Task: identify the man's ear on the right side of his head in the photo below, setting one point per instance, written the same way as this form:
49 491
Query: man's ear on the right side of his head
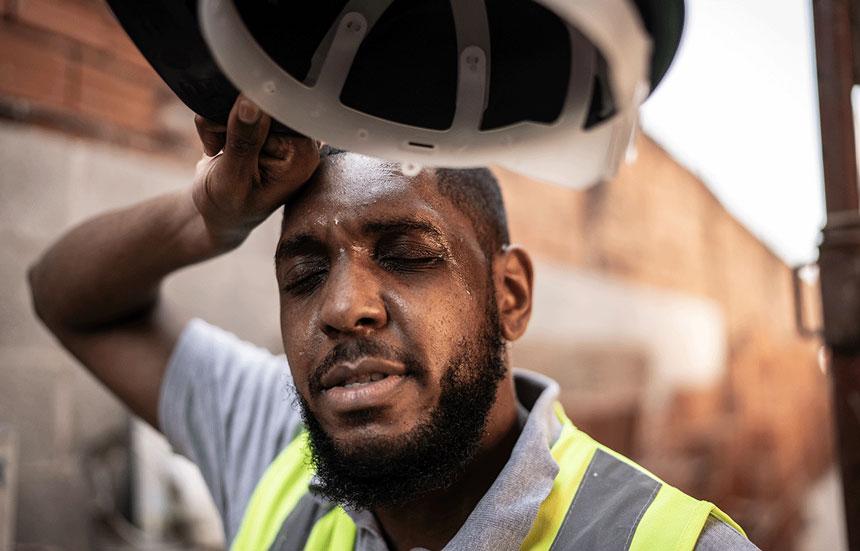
514 276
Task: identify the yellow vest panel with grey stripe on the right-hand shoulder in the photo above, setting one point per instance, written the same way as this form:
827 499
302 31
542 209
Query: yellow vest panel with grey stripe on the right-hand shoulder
601 500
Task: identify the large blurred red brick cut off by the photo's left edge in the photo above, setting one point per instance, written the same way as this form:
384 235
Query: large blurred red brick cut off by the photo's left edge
32 67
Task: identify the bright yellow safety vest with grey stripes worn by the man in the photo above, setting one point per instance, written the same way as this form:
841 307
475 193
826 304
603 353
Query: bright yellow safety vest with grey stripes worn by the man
599 500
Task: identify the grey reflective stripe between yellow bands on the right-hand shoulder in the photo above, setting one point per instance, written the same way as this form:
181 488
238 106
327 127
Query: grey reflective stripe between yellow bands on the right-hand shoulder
607 507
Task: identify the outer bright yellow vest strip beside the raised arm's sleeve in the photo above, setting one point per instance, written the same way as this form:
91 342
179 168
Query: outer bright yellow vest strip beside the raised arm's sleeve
276 495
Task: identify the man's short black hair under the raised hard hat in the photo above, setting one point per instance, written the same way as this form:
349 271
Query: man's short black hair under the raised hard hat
476 193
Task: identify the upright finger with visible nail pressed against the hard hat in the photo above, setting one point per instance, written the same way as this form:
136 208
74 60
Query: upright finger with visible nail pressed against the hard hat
247 127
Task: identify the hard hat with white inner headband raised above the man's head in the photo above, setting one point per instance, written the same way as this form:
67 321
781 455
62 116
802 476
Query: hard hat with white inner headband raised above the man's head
548 88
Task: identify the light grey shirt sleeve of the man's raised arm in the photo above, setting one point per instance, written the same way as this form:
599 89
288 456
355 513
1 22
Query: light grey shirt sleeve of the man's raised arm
228 406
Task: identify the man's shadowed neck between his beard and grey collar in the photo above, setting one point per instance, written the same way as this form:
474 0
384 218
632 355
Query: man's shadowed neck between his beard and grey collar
432 520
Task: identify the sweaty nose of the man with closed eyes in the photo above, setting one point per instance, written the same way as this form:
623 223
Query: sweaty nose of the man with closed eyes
352 301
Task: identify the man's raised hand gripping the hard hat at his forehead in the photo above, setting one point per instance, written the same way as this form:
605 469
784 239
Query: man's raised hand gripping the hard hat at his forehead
248 172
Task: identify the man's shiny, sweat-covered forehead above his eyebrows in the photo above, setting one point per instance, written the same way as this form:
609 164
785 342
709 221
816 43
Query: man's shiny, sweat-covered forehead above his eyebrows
350 190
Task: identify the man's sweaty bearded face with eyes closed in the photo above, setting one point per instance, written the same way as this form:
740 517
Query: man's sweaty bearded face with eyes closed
386 307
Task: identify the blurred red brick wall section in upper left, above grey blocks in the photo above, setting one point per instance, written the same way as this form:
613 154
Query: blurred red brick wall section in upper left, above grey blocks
68 65
